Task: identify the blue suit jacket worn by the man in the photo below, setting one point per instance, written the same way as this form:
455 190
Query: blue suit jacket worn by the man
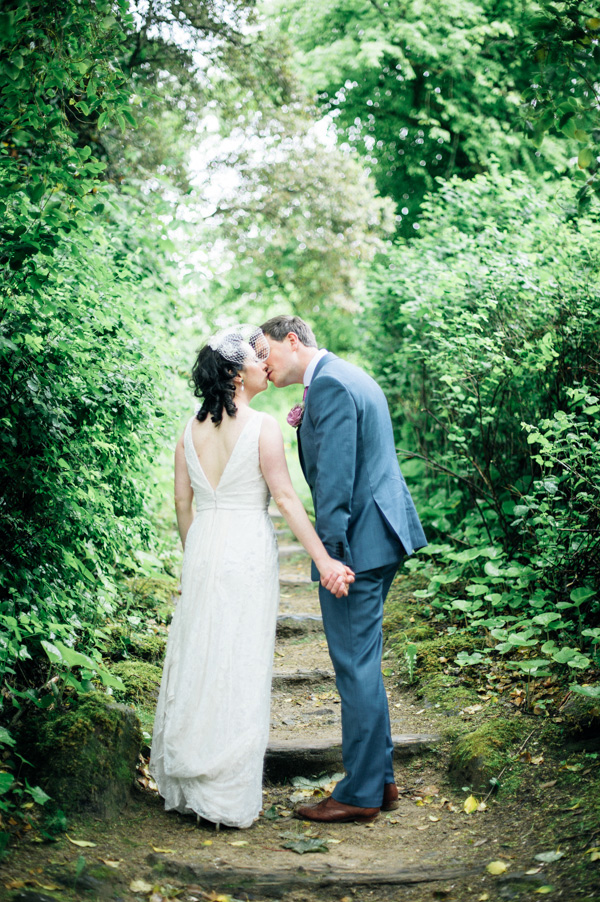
364 513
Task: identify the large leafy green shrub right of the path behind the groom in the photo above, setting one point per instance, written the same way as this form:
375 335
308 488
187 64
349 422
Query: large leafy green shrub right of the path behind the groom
485 336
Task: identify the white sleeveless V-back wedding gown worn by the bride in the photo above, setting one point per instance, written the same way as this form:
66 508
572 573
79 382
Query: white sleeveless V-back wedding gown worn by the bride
212 718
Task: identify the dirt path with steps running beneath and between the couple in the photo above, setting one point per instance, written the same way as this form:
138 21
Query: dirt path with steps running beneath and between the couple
428 848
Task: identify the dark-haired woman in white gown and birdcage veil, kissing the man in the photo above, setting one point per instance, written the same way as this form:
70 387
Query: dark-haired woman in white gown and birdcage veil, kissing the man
212 718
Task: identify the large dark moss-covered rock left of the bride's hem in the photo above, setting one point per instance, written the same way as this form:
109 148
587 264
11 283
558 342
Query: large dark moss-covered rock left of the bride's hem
85 754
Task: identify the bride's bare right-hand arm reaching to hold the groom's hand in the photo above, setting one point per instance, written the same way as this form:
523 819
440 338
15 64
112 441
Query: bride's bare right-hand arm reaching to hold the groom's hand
335 576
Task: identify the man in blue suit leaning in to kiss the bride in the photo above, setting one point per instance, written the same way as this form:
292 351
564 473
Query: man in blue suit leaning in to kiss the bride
365 517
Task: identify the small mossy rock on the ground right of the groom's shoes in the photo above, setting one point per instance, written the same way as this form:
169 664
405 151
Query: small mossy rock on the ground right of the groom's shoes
479 756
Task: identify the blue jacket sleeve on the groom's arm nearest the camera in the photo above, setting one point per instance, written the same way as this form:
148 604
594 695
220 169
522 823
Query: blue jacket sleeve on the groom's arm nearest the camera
335 421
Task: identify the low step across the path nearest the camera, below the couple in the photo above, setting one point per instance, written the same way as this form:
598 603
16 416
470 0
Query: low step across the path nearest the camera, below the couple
275 882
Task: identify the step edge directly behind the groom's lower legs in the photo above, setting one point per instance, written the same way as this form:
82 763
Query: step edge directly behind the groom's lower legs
295 757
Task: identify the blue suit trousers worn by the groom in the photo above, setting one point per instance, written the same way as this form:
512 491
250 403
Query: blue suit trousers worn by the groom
353 627
